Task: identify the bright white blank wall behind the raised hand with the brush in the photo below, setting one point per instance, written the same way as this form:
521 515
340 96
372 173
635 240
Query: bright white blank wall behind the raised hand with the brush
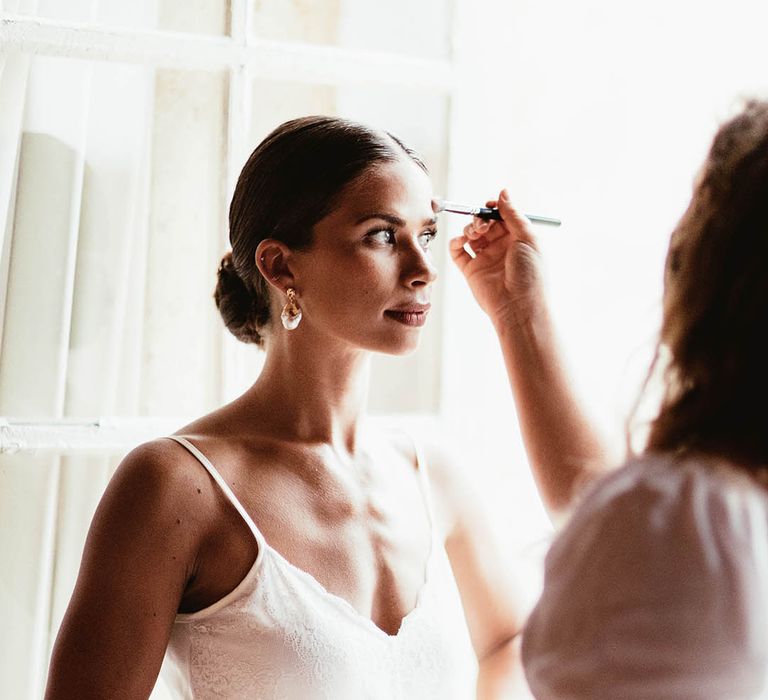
598 112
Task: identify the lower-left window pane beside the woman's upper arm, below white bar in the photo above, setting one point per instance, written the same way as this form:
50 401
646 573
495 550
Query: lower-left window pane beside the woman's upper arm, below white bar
46 505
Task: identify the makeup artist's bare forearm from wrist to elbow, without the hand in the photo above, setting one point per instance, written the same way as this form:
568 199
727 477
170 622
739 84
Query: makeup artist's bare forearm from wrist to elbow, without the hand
560 441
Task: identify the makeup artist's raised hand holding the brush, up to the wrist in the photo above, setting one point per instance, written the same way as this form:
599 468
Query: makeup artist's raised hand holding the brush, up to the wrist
504 274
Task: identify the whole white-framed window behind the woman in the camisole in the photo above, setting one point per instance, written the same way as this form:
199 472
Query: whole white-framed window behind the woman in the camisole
122 131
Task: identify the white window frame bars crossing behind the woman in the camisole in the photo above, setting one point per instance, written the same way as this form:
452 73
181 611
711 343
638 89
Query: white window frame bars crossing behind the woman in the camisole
246 58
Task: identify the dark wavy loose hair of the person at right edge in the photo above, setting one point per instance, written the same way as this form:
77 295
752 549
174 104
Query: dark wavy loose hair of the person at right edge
715 324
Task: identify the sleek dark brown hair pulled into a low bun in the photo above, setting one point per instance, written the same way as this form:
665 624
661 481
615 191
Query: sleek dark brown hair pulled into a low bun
290 182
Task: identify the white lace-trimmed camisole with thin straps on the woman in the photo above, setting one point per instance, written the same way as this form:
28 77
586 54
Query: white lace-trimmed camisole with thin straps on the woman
281 634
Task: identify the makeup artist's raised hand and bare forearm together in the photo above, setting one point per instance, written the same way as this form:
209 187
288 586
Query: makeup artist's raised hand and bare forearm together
564 449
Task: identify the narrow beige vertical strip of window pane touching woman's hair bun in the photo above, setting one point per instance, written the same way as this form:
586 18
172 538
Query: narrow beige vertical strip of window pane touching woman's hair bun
187 229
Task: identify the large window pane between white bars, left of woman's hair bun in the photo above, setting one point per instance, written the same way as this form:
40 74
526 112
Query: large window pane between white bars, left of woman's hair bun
117 229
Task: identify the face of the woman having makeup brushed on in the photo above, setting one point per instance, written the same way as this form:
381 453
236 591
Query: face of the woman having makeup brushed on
367 277
